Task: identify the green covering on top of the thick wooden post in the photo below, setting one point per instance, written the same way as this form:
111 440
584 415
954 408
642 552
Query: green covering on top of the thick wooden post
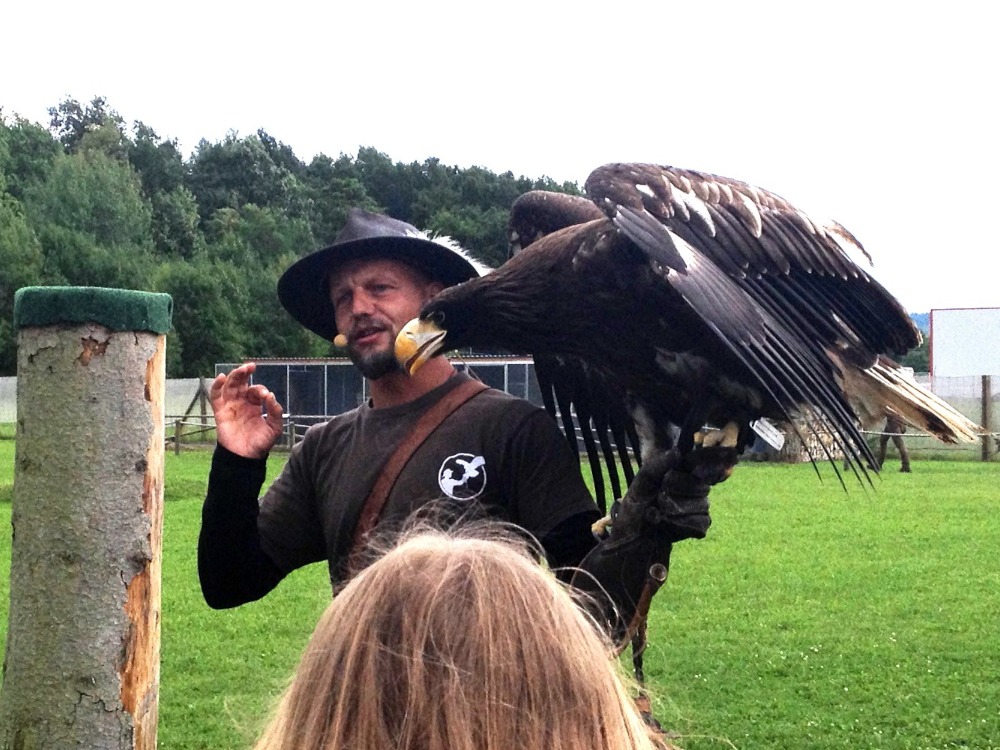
117 309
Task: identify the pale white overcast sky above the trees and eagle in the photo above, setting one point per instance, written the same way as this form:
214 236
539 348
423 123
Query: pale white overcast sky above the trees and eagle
882 116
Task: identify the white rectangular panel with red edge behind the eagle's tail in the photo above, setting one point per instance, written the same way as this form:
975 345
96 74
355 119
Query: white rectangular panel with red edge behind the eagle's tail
965 341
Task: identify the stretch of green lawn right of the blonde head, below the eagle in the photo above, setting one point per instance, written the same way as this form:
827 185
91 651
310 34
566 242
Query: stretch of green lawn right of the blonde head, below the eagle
811 618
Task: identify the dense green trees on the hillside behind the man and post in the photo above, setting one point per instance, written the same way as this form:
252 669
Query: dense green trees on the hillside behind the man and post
89 200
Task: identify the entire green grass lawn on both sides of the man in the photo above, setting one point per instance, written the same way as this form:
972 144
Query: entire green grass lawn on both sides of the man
809 617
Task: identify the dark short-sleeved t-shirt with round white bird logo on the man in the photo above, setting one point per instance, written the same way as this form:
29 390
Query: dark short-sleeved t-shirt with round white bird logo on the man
496 455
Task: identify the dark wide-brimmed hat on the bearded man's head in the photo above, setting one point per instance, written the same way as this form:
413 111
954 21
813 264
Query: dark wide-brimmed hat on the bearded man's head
304 288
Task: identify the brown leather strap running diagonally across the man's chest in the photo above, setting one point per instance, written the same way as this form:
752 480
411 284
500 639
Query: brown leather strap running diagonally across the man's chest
424 426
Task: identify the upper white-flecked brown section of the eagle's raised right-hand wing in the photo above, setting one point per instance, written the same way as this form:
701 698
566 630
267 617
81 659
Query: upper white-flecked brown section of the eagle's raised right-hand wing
807 272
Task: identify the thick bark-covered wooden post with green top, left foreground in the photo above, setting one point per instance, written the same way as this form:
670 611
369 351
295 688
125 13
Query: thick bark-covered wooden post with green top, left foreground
83 643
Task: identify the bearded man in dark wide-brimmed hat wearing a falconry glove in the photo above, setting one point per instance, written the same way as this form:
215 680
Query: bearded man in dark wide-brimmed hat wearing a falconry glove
438 438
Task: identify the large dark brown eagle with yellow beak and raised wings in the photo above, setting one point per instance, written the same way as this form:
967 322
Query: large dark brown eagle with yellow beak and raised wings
666 300
